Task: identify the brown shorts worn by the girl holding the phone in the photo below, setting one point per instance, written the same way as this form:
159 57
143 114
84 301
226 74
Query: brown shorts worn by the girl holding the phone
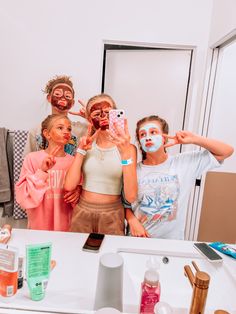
100 218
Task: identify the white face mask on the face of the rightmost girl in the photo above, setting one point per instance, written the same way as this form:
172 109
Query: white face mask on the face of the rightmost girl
150 138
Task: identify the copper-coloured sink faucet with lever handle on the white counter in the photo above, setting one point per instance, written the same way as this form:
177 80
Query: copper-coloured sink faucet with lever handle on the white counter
200 284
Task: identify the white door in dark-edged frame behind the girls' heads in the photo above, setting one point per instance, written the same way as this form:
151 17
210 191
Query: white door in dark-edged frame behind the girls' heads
144 82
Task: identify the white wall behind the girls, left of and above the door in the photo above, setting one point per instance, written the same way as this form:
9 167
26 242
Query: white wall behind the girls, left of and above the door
40 39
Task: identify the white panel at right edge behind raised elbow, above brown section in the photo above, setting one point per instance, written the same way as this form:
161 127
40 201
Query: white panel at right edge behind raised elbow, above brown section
223 112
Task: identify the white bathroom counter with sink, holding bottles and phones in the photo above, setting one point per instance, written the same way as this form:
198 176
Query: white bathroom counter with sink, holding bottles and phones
72 283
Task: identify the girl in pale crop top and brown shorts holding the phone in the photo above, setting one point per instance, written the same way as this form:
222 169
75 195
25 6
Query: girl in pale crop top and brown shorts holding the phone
107 164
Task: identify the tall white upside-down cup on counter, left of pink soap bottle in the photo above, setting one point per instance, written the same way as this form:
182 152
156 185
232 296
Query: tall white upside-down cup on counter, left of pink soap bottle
109 290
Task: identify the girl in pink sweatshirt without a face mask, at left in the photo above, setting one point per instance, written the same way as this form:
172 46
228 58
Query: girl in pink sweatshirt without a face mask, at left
40 187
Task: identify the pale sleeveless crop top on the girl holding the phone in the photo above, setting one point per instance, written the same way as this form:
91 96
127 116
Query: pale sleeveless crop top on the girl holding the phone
102 171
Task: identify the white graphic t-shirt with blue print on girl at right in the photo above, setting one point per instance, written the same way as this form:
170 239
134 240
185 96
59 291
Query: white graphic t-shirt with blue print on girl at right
163 192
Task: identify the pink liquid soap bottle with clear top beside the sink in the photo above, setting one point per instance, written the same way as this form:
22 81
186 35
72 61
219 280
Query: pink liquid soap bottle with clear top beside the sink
150 287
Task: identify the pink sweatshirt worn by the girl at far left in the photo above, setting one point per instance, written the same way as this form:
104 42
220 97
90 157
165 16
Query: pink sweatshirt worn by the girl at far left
41 193
